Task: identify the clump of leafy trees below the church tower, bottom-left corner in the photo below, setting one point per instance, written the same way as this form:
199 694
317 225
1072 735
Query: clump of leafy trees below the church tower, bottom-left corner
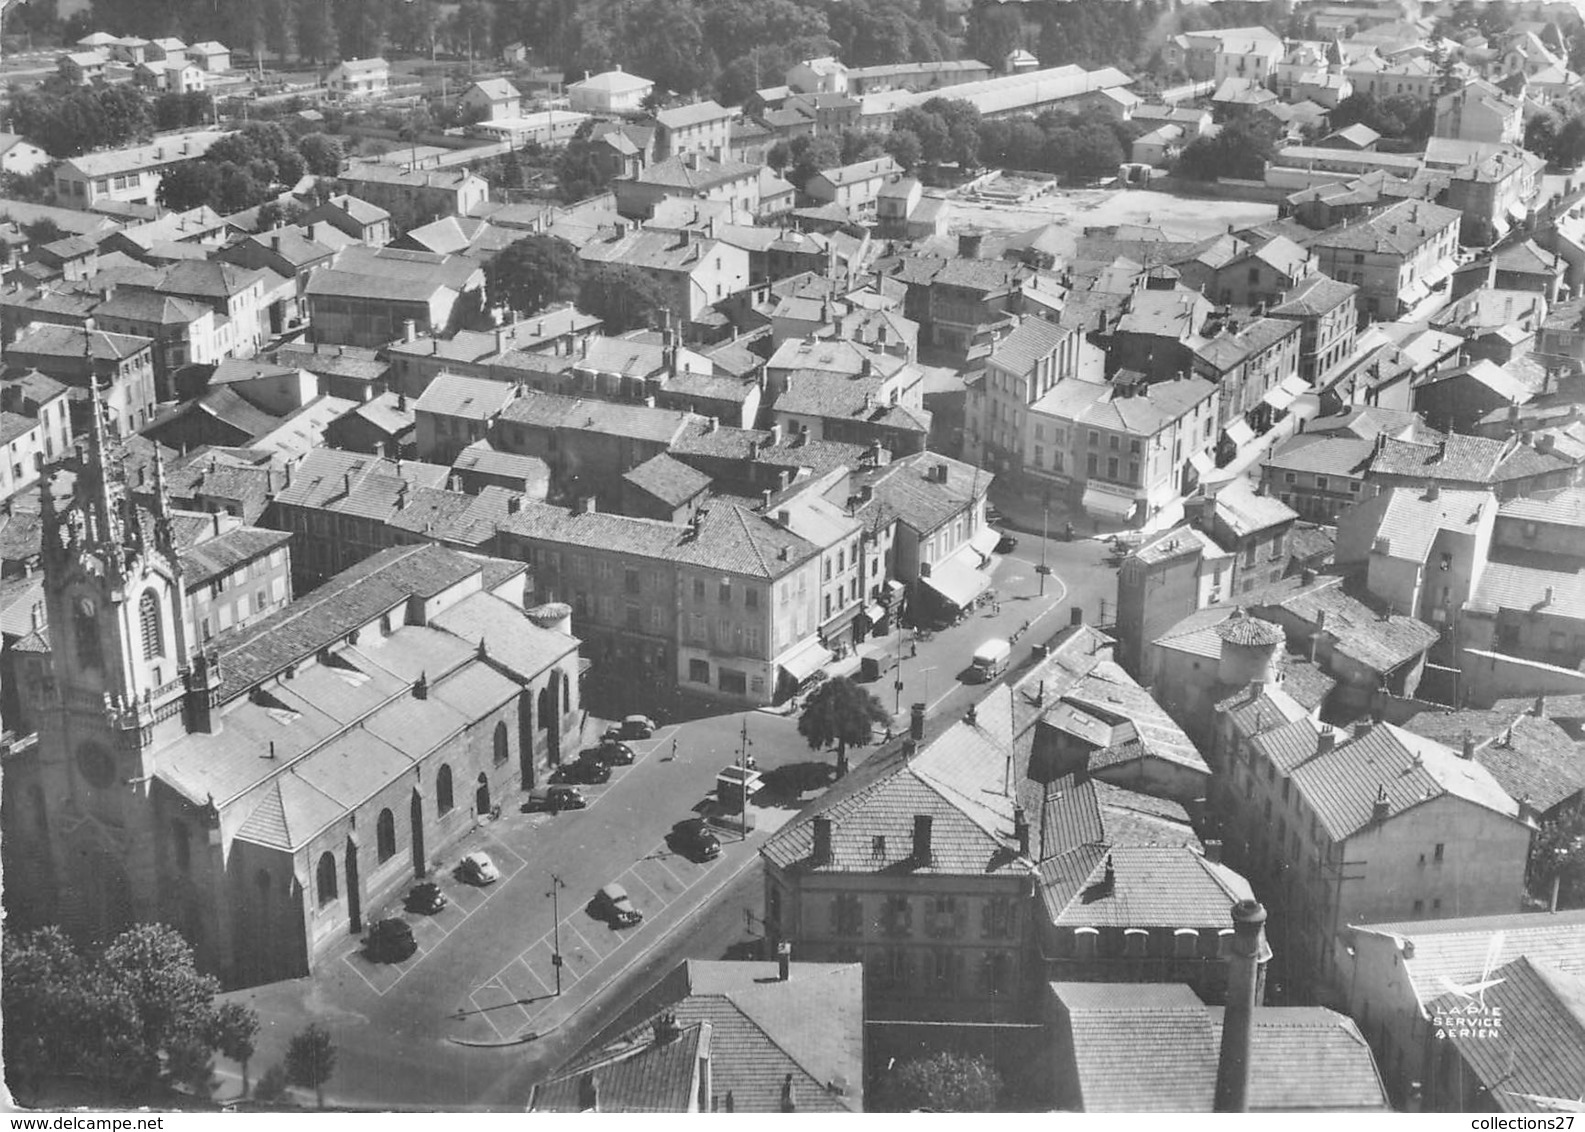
131 1017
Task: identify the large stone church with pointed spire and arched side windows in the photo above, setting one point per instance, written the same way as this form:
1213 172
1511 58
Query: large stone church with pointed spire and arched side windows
270 789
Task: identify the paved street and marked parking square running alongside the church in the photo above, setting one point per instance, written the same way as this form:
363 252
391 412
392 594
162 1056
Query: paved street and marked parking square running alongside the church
473 1020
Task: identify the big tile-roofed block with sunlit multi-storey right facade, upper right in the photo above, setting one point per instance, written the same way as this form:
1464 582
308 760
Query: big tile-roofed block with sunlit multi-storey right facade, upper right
1396 258
